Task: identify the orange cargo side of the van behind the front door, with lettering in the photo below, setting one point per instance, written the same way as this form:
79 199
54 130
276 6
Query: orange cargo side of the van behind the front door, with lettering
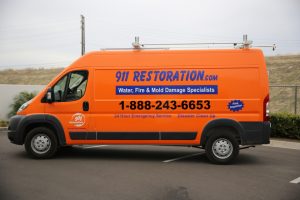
123 112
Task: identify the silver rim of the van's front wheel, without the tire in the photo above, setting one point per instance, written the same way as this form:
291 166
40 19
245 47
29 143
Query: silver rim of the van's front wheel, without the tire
40 143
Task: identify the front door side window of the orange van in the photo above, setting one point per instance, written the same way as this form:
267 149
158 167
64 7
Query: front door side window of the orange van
71 87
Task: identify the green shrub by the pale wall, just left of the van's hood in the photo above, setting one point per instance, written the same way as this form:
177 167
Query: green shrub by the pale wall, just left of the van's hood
19 100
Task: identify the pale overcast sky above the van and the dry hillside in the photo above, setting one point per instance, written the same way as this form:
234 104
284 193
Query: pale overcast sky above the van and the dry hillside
40 33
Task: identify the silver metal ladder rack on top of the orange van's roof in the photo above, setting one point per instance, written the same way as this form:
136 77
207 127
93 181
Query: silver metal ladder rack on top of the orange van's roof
246 44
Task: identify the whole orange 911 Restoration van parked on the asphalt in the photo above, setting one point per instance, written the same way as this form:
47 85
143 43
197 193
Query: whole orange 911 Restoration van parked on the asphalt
213 99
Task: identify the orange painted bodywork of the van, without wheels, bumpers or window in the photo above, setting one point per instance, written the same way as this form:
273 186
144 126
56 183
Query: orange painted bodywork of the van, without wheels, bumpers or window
239 75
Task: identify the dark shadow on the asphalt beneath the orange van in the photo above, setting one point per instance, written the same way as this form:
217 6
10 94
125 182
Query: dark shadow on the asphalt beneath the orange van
151 154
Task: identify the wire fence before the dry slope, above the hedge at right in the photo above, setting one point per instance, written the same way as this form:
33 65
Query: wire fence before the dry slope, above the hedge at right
284 98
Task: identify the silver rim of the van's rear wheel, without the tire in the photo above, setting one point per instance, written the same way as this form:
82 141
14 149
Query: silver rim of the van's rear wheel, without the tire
222 148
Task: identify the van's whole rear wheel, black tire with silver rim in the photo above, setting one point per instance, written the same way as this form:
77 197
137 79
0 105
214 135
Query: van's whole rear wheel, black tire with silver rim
222 147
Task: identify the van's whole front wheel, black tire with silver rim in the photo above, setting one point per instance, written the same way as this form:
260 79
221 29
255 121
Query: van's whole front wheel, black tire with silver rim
41 143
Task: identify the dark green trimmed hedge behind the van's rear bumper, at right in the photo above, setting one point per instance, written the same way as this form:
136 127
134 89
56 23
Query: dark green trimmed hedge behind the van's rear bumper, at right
285 125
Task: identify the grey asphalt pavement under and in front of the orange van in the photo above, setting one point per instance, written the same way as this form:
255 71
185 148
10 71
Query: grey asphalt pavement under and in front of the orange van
124 172
